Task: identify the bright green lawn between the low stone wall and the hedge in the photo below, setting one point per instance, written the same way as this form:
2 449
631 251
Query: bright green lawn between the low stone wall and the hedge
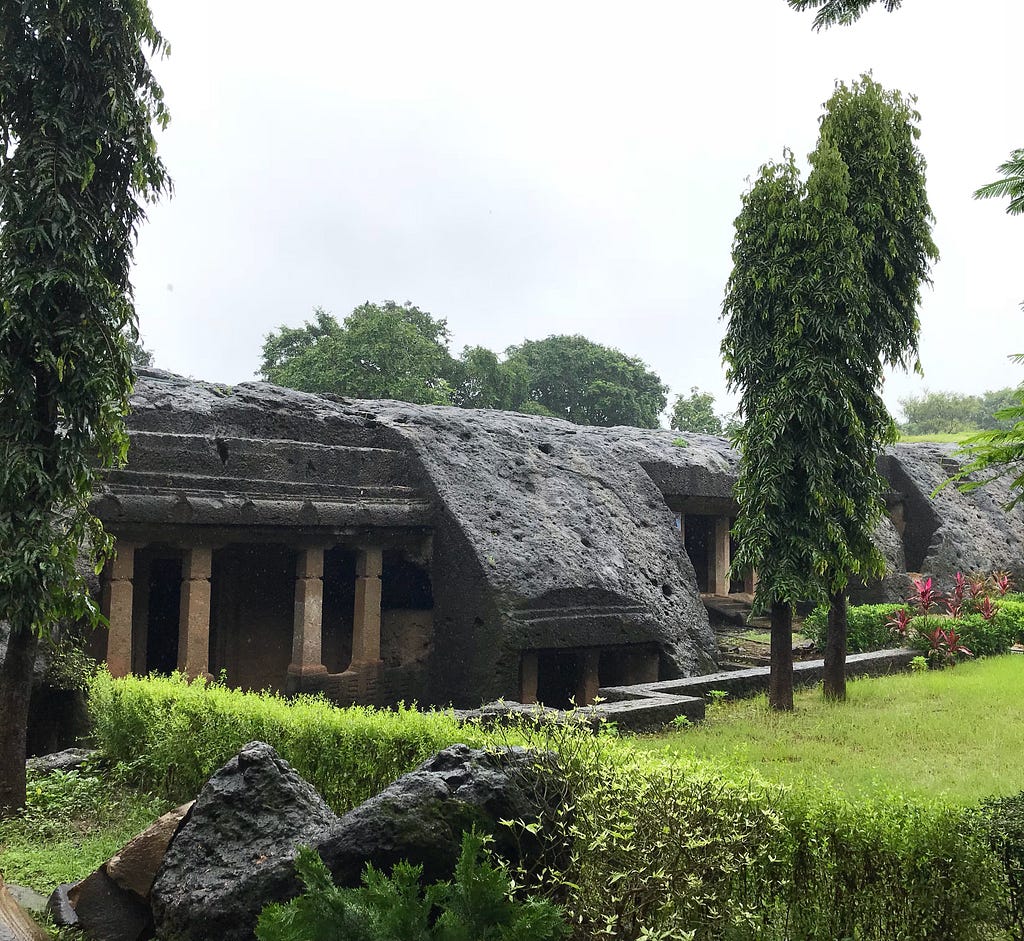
956 735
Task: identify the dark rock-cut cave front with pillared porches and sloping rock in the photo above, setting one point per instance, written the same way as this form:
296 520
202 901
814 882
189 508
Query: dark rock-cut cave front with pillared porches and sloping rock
381 551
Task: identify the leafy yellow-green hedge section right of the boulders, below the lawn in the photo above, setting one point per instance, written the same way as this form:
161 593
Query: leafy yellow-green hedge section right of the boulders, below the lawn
665 850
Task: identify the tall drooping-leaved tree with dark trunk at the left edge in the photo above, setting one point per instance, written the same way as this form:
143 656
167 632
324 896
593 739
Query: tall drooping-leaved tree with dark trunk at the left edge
78 104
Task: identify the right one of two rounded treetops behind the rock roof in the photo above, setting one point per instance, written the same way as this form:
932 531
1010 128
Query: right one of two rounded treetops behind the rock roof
587 383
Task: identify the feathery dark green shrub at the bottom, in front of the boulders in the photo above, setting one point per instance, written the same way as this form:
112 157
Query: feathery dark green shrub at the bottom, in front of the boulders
475 907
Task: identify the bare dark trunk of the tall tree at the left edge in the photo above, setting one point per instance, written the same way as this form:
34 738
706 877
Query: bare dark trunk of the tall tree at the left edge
16 690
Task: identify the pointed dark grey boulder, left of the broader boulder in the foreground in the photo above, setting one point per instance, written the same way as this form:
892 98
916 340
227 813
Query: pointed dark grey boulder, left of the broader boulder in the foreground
234 852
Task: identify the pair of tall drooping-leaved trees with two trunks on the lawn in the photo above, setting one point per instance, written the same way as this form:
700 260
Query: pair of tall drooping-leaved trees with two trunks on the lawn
824 291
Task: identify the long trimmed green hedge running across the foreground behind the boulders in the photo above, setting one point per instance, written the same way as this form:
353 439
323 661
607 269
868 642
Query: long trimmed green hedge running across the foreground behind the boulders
660 847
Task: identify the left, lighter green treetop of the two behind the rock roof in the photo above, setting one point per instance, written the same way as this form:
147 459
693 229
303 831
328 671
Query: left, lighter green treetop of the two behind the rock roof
385 351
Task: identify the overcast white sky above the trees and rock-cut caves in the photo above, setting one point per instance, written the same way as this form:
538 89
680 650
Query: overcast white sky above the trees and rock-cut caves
536 168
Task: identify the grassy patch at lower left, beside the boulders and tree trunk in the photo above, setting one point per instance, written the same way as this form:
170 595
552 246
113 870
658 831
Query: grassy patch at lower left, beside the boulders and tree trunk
73 823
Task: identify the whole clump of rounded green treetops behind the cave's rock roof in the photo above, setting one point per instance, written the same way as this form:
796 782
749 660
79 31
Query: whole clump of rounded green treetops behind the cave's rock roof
400 352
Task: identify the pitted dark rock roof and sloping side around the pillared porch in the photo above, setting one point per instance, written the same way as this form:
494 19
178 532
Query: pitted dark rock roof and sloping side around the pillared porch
546 535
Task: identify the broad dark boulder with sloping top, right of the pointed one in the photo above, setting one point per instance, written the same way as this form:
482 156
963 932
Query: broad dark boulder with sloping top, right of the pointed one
422 817
